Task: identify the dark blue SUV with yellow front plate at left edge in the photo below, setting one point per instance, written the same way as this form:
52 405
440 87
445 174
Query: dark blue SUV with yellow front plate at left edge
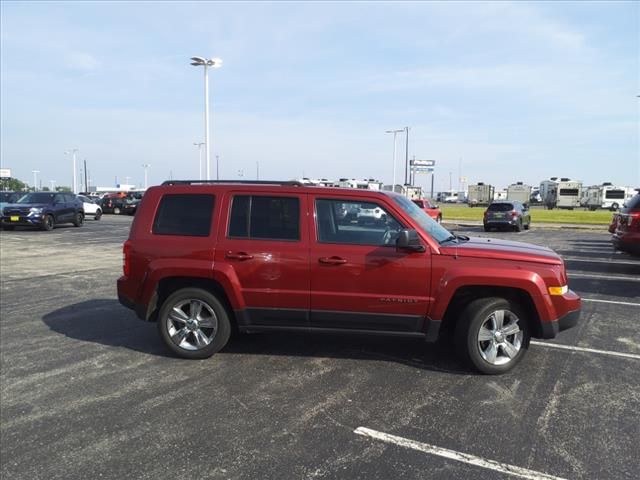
43 210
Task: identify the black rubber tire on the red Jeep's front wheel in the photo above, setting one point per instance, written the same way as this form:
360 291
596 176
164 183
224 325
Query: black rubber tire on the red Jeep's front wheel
468 329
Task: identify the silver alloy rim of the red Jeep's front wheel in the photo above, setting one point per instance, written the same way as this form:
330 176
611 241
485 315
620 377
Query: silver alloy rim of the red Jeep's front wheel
500 337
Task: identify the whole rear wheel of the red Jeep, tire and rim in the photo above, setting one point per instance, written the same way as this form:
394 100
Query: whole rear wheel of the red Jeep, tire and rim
193 323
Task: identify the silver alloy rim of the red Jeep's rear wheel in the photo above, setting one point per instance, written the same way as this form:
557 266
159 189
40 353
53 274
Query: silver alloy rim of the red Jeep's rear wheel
192 324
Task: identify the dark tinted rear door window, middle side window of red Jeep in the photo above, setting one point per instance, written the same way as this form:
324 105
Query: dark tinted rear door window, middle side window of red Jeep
269 218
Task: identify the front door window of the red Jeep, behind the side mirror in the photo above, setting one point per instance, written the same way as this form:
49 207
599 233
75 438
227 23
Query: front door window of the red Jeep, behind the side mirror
355 223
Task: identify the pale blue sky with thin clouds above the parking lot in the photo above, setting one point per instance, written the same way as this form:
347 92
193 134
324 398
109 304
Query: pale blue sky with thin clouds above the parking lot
498 91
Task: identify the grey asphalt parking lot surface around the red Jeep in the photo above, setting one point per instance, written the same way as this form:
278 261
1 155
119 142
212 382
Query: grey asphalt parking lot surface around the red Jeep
89 391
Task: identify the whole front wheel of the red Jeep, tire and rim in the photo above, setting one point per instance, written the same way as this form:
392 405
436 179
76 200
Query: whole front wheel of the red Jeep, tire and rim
492 335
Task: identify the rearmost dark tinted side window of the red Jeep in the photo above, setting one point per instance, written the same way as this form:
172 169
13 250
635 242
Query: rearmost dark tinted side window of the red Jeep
184 214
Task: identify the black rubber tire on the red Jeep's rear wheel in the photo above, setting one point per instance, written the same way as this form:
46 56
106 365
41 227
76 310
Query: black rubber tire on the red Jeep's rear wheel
220 334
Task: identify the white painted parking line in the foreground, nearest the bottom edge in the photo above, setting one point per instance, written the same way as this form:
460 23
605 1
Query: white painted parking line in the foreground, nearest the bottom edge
453 455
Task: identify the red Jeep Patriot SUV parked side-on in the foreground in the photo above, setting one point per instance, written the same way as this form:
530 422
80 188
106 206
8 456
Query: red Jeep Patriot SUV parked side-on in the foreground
206 257
